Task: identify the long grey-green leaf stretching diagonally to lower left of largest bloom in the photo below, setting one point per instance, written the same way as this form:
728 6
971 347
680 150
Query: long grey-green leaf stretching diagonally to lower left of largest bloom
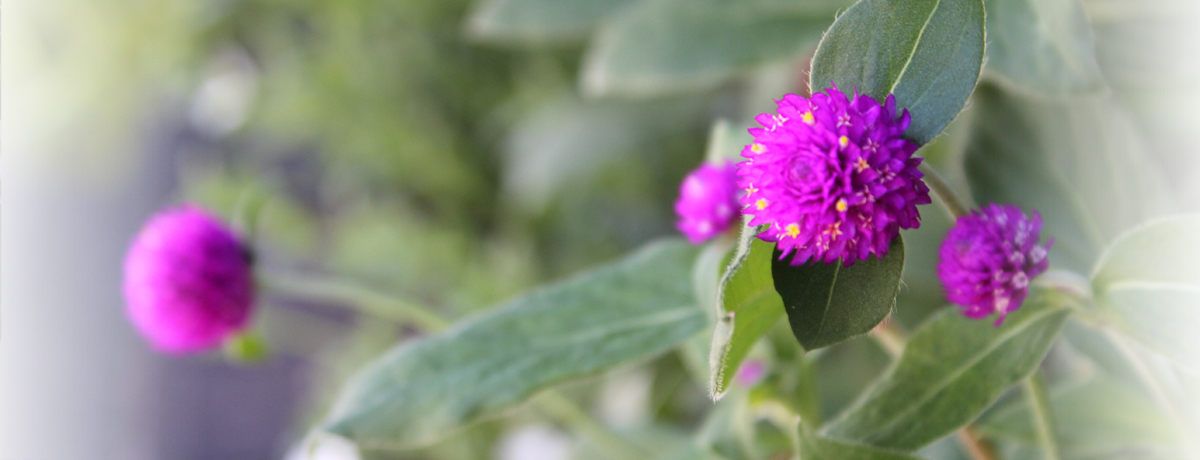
623 313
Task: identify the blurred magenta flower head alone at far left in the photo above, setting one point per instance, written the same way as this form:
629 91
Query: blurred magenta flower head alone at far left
189 284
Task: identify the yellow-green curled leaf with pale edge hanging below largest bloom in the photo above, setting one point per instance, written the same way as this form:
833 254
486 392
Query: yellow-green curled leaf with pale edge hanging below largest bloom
749 308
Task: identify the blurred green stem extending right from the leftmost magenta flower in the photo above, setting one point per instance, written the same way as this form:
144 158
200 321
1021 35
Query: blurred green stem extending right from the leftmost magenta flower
353 296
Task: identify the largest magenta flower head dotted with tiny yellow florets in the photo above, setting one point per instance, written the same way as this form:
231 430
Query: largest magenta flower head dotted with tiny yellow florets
832 178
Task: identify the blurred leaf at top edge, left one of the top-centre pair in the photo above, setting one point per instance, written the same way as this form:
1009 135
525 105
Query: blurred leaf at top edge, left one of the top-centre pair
533 22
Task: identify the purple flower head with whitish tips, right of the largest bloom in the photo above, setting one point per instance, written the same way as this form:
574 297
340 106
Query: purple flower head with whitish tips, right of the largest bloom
989 258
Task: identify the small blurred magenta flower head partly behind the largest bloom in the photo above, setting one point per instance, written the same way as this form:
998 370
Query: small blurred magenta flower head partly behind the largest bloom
709 202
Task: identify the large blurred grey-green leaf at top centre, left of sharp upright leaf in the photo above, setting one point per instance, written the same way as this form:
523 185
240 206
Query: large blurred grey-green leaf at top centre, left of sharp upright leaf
670 46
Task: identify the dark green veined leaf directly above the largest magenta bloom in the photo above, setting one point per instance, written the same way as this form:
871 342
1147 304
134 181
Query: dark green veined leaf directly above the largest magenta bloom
928 53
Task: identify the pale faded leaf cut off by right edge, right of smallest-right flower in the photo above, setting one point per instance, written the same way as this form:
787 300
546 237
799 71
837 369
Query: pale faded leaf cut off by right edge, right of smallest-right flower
1148 285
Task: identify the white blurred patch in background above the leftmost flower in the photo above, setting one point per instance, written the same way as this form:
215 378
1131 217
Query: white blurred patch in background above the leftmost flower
223 103
